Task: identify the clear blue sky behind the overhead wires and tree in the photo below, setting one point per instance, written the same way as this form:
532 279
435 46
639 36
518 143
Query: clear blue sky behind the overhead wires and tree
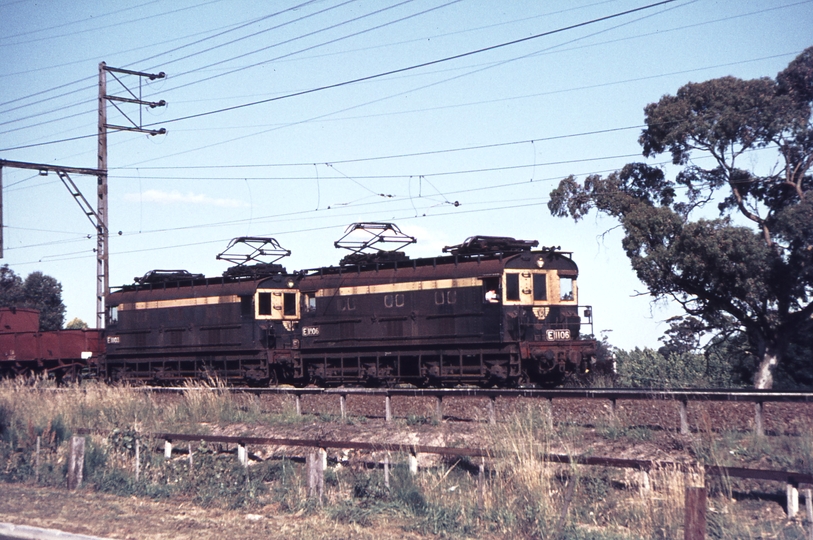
470 145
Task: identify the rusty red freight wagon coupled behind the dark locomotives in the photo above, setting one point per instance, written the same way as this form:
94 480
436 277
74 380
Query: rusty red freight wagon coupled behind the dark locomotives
24 350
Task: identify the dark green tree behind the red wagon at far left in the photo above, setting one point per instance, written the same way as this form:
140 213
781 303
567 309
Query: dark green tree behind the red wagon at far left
38 291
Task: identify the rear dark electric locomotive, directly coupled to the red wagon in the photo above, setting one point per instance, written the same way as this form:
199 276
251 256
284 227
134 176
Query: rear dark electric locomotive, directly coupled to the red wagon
181 327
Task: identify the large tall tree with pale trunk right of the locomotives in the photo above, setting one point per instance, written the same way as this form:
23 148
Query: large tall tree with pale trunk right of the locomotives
748 266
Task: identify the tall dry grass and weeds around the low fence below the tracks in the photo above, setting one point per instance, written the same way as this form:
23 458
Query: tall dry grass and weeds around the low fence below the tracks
518 496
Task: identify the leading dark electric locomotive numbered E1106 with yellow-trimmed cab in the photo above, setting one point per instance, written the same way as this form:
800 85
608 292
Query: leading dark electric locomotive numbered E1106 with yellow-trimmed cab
478 319
